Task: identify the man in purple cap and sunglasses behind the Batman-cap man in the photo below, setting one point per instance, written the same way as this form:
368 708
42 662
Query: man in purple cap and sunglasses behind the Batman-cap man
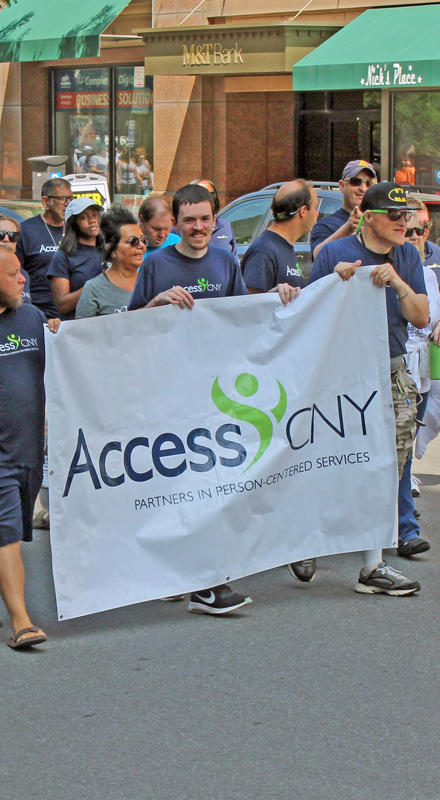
357 177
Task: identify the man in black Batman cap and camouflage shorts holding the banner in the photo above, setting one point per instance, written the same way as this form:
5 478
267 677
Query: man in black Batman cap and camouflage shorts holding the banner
380 241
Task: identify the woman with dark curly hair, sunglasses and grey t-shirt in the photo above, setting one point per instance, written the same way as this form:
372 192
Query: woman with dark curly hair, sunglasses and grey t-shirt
110 292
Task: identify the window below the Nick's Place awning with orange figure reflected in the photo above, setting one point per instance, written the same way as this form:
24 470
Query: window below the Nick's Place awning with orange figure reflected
416 143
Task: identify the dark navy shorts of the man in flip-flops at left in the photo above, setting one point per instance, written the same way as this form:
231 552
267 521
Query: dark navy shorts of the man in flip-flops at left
19 487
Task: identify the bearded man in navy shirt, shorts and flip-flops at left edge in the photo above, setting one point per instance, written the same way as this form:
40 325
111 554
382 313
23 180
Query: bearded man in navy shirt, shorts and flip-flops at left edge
21 439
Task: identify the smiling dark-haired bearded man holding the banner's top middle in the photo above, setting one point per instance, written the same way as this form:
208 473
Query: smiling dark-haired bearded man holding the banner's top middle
189 270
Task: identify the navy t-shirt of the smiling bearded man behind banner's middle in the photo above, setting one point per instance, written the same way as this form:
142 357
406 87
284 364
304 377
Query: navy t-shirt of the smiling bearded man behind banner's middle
216 274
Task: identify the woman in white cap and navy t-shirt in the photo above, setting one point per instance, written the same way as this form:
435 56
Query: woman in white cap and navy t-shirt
80 255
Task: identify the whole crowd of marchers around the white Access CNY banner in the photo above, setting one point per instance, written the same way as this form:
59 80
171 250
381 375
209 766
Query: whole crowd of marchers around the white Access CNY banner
76 260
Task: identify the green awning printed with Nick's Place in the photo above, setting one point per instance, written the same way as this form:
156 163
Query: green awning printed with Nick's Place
382 48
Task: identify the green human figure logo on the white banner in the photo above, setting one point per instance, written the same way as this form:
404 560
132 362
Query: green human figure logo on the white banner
247 385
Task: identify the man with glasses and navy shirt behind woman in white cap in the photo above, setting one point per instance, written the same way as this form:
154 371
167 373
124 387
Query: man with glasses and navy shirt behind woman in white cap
40 238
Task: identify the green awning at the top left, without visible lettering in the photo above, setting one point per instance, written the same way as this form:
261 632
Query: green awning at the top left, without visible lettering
40 30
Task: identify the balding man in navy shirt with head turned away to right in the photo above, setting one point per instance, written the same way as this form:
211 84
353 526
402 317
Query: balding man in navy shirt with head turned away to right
271 260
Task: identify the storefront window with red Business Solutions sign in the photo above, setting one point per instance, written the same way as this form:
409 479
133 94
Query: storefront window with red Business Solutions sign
84 108
